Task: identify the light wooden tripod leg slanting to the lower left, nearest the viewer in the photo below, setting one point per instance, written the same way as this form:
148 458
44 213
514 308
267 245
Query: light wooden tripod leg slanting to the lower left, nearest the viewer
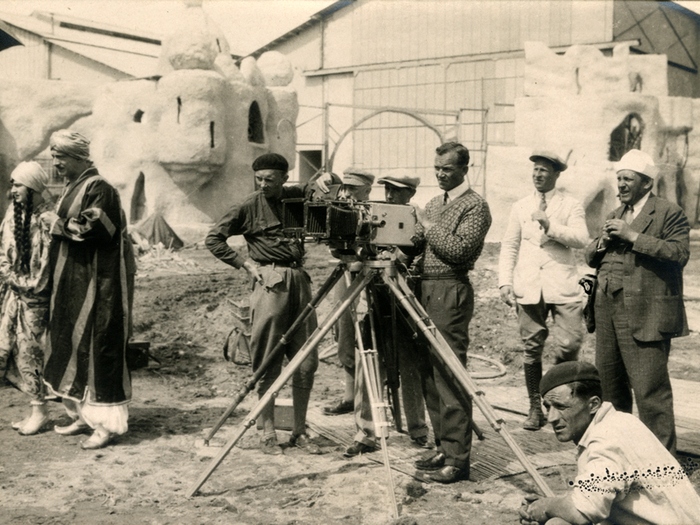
287 372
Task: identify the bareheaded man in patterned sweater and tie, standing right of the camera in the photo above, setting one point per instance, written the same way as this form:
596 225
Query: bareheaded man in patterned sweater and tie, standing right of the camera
452 232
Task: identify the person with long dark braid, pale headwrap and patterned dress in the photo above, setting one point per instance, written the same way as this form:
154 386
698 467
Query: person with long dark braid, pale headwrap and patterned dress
24 274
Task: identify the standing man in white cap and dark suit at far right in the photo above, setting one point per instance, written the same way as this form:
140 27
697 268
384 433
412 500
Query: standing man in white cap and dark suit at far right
639 256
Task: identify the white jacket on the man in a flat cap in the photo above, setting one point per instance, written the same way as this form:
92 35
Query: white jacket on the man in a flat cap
538 264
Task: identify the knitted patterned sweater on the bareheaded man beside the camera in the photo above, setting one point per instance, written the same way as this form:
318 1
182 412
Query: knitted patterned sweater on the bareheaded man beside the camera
454 242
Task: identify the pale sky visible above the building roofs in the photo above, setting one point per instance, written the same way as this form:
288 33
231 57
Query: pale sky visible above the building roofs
247 24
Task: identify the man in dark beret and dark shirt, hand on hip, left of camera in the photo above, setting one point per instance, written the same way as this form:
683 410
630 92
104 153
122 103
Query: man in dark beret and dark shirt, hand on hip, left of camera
281 289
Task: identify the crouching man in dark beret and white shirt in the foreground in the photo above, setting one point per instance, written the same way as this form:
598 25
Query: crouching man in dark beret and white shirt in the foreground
625 476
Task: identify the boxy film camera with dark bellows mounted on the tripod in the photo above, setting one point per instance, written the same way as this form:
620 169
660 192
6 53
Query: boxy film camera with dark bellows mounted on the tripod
350 223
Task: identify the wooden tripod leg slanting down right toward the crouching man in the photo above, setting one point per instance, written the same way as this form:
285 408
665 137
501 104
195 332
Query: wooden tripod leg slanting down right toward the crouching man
444 352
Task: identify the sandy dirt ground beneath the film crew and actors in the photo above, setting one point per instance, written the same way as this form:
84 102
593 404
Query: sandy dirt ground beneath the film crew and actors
183 309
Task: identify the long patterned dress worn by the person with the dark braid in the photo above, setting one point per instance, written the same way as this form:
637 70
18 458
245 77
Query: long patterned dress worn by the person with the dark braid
25 306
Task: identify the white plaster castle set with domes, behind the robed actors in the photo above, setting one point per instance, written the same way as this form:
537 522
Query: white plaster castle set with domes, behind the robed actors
163 128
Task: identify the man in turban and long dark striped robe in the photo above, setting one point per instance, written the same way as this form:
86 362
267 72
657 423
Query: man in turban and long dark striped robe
92 262
